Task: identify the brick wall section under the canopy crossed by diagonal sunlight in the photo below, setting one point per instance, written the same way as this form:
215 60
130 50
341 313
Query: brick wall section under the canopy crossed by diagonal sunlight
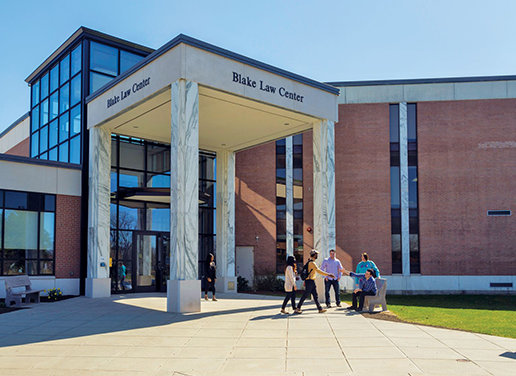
255 203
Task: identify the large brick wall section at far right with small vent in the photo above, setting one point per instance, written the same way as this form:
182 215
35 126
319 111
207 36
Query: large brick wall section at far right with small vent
460 178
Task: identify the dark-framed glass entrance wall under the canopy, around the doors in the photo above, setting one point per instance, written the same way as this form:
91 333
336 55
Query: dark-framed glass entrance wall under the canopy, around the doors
143 164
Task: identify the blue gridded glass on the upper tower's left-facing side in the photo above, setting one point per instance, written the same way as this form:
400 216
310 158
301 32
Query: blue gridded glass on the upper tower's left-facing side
56 111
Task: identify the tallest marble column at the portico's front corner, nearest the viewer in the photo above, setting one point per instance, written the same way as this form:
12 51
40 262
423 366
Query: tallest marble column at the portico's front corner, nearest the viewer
183 292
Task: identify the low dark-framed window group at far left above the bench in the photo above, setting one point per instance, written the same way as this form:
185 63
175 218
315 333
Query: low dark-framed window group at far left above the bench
27 233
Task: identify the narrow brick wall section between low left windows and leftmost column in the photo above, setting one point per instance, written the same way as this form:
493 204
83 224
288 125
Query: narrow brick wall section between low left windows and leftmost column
68 236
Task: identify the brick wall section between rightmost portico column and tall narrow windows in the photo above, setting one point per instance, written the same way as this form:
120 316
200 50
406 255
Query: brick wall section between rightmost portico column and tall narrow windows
362 185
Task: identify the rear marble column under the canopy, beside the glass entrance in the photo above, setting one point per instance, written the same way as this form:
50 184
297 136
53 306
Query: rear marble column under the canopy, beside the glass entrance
226 277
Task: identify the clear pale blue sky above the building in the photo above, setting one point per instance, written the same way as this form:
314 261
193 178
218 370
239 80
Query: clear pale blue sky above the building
332 40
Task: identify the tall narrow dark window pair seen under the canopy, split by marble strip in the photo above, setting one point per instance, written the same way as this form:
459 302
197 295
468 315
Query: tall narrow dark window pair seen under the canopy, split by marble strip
281 209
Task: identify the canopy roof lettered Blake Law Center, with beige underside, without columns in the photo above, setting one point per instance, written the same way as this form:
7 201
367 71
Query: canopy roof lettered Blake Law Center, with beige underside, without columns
242 102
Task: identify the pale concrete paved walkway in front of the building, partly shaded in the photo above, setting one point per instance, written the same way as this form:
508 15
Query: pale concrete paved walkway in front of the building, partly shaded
238 335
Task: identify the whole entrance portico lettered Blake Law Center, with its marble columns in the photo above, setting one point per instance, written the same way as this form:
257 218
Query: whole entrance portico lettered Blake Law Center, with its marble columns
195 96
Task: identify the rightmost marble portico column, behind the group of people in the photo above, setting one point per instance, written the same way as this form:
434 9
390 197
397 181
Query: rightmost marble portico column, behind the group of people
324 192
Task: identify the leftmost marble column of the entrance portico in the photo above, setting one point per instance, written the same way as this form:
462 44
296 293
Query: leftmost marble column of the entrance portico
98 283
